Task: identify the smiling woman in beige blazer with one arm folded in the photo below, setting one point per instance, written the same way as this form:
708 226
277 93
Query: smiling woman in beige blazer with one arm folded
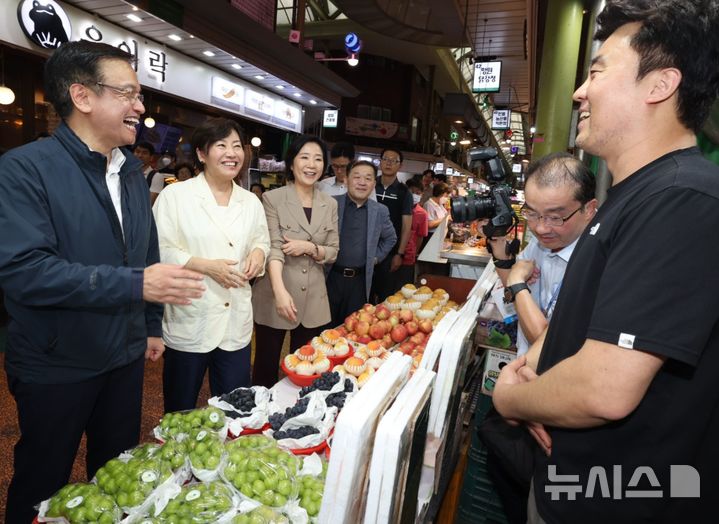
304 237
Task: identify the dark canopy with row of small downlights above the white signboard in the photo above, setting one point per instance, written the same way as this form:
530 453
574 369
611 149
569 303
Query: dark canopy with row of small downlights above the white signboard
239 46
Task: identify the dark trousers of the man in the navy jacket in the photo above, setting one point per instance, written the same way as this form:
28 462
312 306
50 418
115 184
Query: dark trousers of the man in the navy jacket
52 419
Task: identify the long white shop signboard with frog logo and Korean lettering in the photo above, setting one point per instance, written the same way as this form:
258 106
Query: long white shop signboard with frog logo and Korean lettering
44 24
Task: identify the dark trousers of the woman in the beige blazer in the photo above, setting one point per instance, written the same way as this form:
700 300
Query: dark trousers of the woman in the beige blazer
268 348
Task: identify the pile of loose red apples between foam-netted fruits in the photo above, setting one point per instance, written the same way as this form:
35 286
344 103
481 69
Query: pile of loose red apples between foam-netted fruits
389 327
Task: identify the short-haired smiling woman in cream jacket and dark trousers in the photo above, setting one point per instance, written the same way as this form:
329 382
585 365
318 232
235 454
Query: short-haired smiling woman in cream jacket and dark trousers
212 225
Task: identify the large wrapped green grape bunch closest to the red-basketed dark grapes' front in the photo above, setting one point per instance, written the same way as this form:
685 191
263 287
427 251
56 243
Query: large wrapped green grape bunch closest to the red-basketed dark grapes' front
261 474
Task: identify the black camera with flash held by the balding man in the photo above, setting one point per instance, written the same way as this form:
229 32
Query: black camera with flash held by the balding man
493 204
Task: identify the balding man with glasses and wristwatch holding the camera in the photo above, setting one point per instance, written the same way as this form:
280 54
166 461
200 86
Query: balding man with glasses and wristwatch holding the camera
559 203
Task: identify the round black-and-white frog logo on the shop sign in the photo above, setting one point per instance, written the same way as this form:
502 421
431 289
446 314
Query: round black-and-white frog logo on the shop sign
44 22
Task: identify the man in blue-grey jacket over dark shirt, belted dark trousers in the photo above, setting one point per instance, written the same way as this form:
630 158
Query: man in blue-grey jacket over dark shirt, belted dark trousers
366 238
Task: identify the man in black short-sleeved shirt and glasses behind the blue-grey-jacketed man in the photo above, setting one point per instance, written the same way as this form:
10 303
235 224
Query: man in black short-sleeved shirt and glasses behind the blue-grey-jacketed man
395 195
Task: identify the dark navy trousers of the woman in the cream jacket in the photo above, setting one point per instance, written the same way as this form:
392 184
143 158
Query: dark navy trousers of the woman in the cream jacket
183 373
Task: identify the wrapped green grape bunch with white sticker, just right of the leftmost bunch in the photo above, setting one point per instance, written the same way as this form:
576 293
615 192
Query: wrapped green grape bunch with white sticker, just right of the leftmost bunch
135 484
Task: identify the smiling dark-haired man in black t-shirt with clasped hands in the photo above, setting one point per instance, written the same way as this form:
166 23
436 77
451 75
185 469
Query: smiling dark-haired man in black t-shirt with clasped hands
624 401
